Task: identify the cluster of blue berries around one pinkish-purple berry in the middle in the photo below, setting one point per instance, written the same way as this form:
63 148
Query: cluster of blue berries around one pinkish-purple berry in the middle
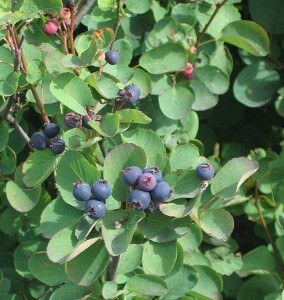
148 189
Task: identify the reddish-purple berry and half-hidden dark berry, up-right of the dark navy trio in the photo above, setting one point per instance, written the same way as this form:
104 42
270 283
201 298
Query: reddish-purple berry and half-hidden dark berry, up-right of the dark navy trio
73 120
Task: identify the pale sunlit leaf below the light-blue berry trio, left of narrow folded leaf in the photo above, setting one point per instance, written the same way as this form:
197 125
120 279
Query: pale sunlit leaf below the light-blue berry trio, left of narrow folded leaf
62 244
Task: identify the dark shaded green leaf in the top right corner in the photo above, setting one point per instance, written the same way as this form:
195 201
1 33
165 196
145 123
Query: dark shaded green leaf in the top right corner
268 16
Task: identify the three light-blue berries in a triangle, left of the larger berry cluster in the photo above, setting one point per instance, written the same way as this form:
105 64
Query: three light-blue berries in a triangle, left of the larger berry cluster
95 197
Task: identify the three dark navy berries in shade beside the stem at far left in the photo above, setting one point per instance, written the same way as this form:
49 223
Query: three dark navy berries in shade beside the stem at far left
48 138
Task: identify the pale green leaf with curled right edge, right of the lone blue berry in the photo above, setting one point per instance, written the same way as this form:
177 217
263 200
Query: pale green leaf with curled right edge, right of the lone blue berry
231 176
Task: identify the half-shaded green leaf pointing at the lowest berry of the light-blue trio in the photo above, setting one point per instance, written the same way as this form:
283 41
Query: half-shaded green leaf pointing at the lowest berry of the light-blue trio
57 216
